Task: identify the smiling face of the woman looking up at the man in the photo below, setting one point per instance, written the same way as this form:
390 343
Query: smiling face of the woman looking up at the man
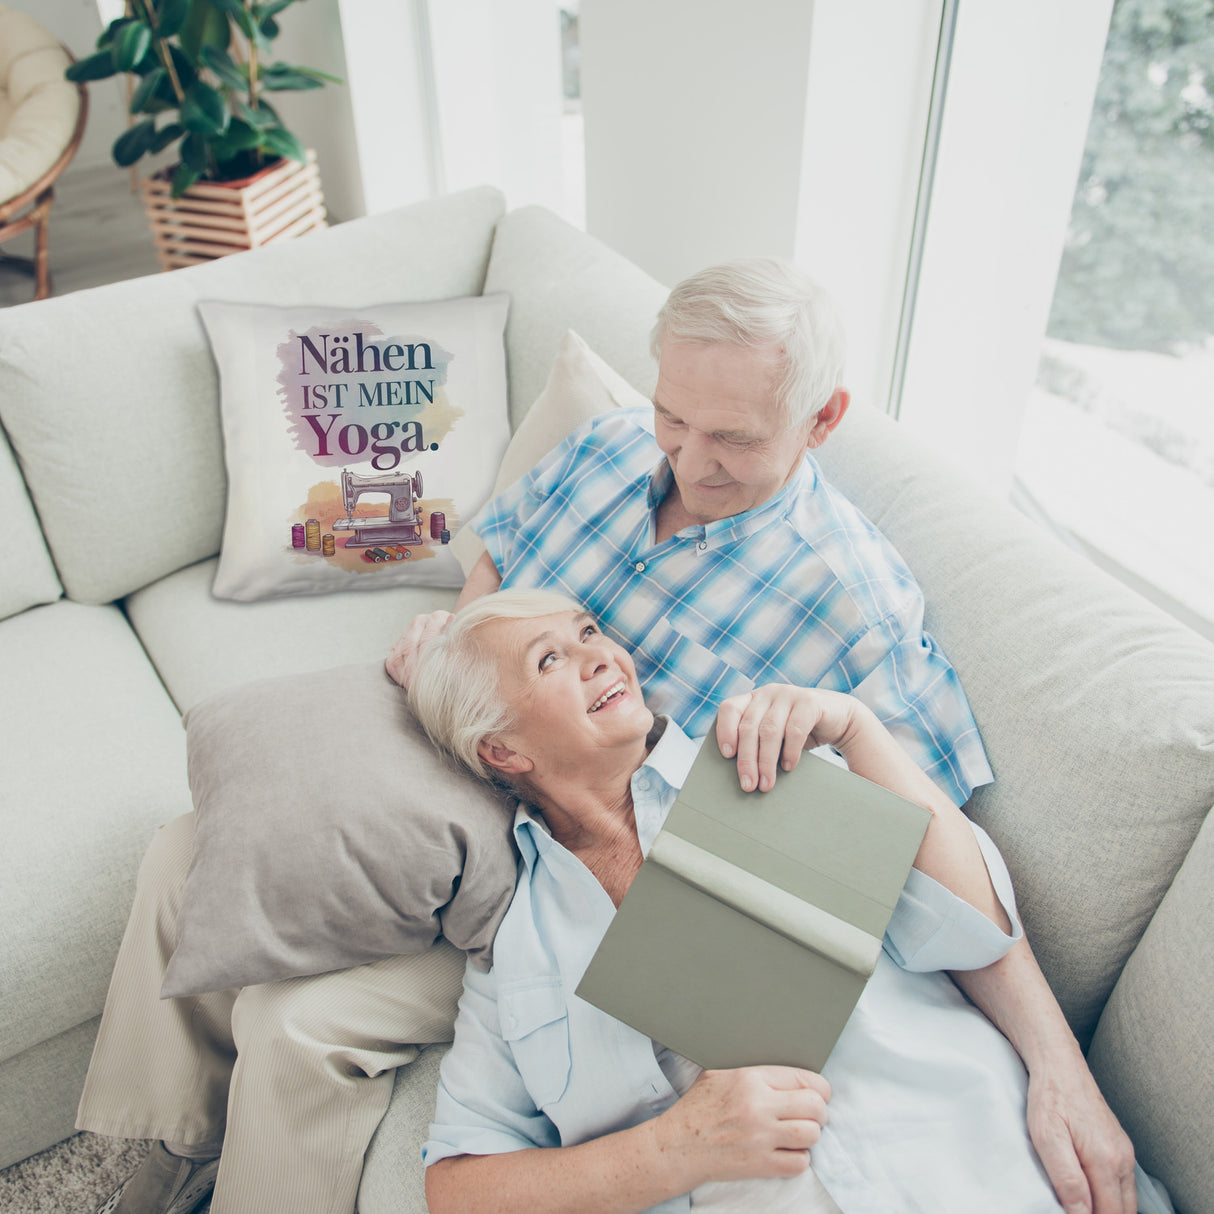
574 691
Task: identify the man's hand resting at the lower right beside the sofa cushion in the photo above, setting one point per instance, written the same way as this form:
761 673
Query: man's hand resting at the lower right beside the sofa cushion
1086 1153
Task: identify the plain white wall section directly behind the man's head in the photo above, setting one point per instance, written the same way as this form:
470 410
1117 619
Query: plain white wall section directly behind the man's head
695 123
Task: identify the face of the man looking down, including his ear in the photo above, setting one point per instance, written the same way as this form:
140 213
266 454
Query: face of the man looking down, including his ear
718 423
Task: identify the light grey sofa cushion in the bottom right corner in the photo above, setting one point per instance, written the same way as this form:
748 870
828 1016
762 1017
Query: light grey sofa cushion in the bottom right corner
1153 1053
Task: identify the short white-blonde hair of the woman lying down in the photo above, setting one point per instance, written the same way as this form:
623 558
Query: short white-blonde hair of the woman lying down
455 691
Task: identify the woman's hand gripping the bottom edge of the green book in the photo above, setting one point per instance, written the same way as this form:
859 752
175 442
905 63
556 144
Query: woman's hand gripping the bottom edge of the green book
758 1121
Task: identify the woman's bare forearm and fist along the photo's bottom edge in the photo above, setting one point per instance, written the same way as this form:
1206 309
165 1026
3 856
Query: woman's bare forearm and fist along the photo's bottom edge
729 1126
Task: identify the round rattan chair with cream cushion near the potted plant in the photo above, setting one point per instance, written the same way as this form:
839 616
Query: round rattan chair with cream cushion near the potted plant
42 123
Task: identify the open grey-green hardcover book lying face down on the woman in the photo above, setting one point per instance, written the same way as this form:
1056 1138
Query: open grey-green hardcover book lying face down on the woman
756 921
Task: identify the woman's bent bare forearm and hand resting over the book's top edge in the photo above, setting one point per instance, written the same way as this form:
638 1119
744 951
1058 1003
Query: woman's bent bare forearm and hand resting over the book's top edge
768 729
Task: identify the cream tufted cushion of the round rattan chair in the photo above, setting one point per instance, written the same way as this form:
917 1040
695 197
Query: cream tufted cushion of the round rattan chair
38 106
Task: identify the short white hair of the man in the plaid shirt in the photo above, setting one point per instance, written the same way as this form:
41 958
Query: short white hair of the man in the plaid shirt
761 304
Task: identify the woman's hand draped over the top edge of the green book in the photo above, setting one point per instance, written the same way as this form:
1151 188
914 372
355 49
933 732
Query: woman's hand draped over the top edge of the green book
771 727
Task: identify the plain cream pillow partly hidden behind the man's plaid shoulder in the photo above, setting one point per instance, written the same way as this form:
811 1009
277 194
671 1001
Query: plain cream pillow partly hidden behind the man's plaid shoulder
580 387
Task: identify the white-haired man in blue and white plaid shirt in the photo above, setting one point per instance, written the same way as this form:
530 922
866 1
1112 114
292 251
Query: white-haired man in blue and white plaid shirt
705 538
